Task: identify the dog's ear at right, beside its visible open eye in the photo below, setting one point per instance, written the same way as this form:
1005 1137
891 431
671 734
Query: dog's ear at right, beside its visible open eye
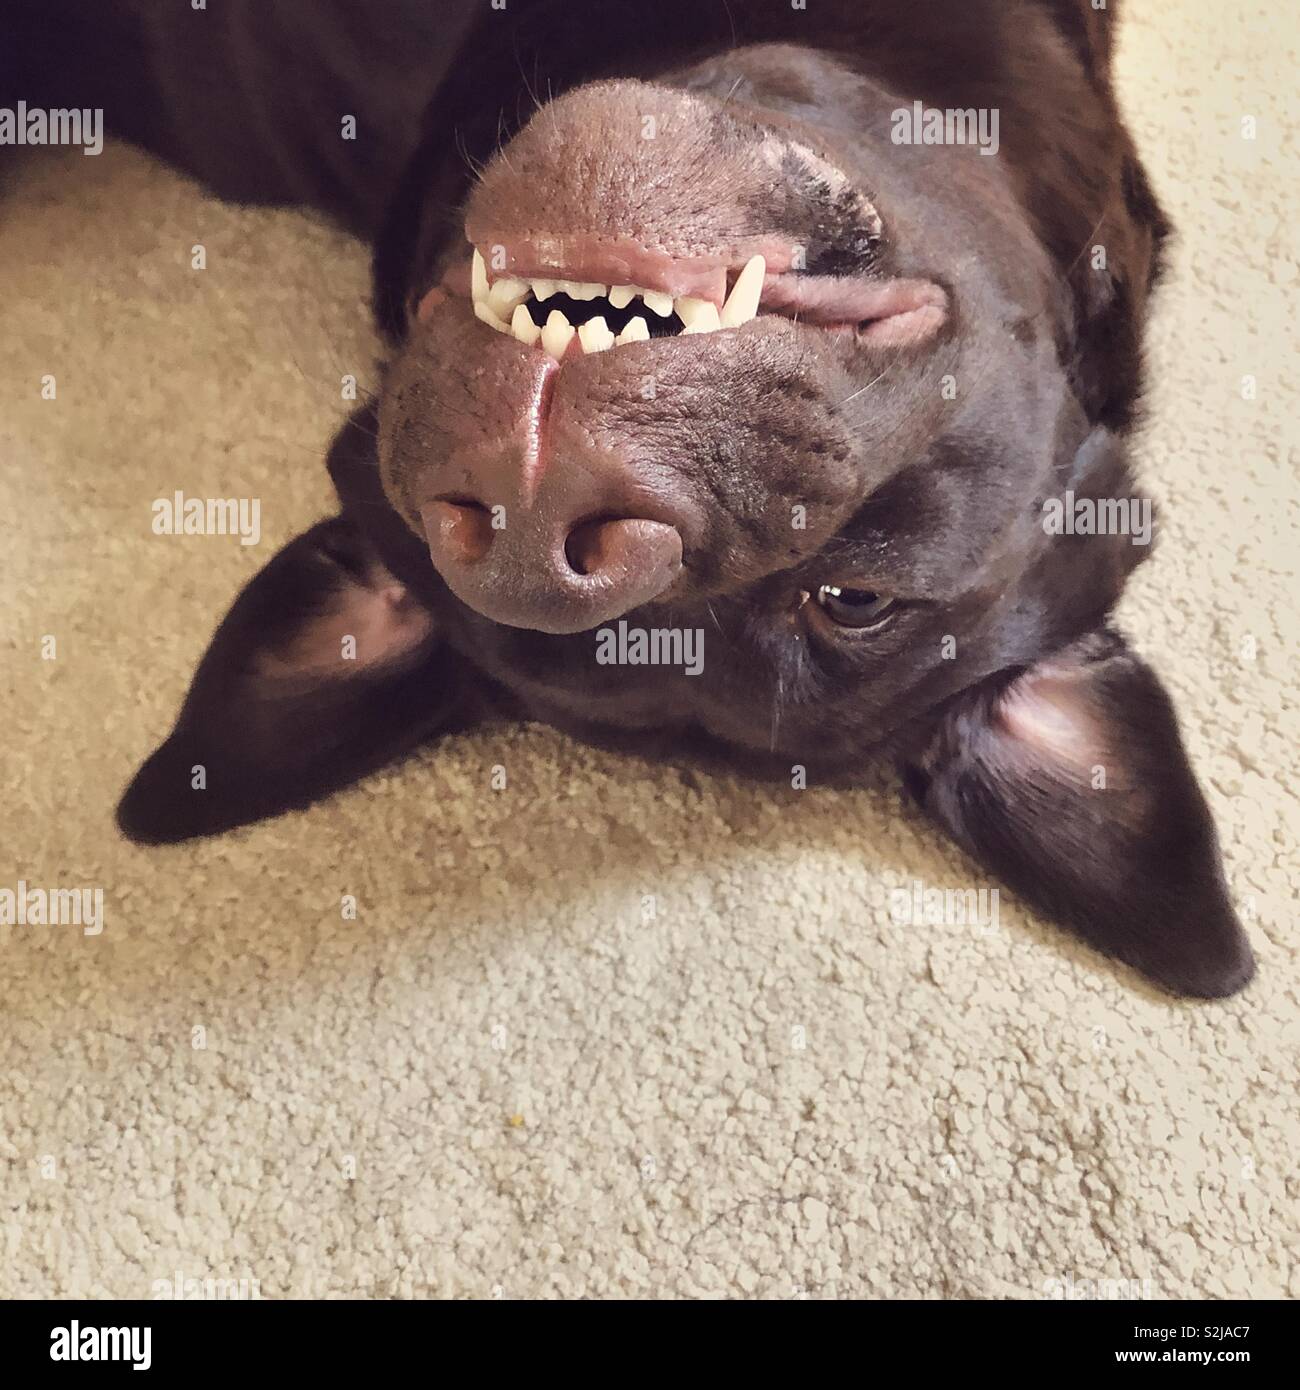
1073 786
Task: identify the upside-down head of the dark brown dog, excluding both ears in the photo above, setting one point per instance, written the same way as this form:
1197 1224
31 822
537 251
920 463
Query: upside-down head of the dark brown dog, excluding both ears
728 358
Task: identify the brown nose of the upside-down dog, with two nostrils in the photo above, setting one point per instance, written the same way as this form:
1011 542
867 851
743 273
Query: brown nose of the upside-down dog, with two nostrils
547 571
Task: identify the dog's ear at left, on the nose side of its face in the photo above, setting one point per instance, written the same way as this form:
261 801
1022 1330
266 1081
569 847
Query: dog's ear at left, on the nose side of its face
325 669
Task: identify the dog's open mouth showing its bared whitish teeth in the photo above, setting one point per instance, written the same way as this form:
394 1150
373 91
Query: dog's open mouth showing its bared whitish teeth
558 313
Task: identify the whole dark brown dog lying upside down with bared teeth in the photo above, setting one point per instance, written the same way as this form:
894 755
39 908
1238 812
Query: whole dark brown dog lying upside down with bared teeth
845 494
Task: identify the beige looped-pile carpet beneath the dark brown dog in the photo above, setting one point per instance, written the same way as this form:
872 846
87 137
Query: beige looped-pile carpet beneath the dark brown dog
507 1077
